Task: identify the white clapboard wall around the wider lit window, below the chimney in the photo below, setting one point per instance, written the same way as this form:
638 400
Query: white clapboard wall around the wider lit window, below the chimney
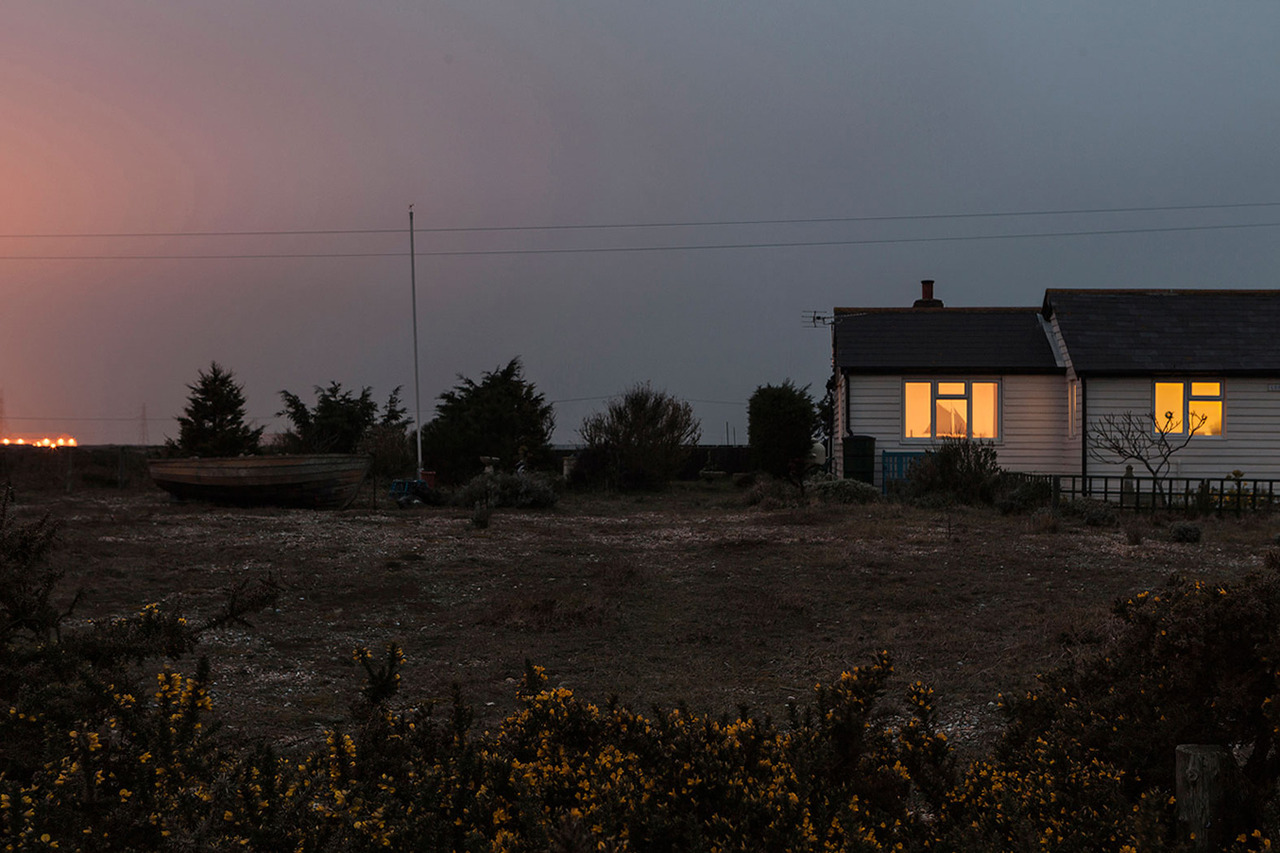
1034 421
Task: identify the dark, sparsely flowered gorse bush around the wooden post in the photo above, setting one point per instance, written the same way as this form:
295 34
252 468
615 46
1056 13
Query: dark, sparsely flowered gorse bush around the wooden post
1192 663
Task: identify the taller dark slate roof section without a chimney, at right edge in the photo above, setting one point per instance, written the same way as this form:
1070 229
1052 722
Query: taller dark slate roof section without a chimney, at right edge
1153 332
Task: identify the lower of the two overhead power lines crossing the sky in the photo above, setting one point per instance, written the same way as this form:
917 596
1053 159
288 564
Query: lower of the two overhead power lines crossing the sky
589 250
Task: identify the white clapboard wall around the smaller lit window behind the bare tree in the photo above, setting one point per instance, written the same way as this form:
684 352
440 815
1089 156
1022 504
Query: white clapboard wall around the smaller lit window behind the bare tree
1251 434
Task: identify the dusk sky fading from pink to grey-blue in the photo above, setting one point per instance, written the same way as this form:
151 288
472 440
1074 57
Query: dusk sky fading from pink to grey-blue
158 124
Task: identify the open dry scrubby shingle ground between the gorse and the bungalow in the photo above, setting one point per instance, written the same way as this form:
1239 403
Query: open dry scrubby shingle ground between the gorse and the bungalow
689 596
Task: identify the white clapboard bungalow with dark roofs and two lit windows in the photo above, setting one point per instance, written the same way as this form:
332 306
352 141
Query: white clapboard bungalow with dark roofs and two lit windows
1039 382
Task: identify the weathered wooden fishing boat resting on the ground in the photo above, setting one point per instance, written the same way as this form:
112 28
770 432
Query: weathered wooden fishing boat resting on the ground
322 482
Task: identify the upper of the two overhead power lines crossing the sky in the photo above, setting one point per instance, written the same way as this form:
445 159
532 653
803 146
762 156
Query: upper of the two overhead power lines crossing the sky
712 223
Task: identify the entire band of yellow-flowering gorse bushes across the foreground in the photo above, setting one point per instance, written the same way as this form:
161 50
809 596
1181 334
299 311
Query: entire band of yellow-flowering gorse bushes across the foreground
100 751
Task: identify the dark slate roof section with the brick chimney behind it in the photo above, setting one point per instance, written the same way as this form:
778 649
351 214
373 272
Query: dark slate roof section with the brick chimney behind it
921 340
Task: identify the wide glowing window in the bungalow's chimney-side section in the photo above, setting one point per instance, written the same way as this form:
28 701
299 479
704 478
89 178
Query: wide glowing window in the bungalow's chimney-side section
952 410
